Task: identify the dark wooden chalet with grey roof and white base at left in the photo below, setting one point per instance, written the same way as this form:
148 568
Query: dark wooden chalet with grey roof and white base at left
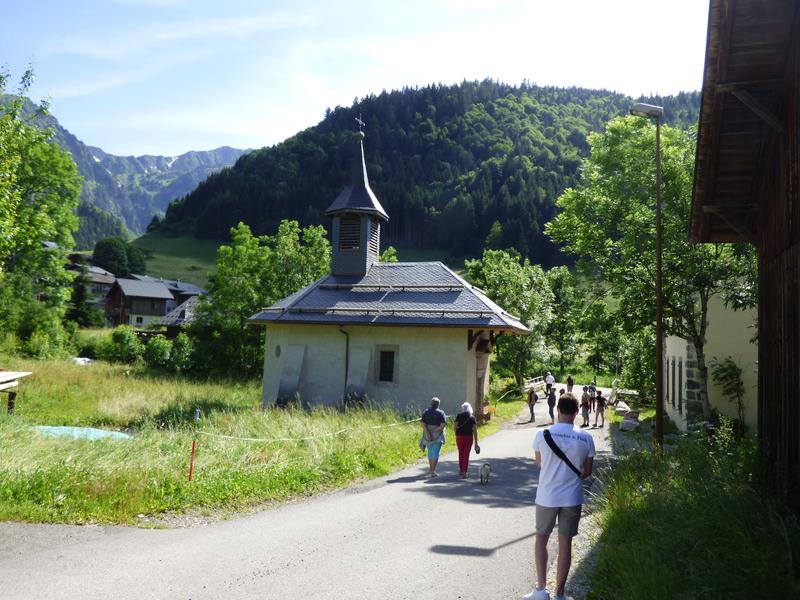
137 303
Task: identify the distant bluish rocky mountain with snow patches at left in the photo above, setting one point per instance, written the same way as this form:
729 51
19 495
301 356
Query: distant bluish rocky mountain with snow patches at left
122 193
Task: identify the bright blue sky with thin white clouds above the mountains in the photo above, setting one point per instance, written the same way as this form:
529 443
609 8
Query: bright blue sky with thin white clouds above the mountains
168 76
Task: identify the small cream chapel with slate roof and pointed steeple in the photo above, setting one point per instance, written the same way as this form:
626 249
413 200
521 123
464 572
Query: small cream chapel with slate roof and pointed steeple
395 333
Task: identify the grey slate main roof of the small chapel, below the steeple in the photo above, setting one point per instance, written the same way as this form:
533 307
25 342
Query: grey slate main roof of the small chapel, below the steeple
411 294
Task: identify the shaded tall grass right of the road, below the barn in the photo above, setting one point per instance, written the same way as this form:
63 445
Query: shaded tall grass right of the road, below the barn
691 525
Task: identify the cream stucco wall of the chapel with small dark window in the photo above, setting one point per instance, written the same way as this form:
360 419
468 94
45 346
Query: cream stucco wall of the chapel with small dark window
430 362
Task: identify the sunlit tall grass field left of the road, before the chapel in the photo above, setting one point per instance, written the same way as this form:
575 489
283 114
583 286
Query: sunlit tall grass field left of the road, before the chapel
292 453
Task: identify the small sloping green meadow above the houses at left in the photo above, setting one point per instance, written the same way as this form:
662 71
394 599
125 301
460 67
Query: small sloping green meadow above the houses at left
184 257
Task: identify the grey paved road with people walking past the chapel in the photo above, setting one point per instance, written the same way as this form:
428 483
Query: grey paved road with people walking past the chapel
400 537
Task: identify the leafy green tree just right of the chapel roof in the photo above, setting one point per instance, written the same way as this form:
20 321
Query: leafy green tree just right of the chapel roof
521 289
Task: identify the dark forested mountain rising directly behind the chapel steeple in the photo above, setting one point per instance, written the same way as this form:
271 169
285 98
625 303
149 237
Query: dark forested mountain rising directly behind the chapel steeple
447 162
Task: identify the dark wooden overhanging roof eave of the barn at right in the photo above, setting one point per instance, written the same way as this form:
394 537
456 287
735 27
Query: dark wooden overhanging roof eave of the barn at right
744 88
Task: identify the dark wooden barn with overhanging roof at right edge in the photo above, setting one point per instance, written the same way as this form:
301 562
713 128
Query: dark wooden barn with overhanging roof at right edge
747 190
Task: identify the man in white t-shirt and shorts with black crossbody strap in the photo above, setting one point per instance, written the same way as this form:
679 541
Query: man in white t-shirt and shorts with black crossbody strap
560 493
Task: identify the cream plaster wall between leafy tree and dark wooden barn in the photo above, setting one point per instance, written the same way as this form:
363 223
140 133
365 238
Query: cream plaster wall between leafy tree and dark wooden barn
729 333
